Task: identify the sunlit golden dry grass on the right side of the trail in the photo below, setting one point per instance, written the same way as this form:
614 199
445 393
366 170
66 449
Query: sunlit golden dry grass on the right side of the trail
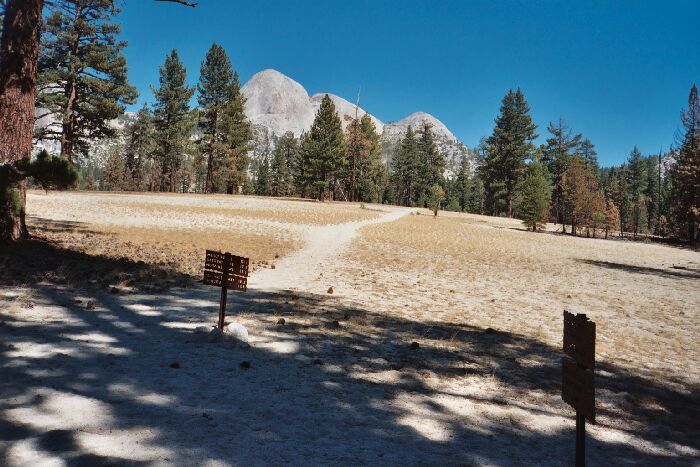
488 272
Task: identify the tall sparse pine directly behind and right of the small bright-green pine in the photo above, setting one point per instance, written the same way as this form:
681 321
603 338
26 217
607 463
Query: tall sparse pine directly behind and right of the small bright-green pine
557 153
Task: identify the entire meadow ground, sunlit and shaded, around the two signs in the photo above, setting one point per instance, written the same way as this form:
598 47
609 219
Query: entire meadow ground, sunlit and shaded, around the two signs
100 364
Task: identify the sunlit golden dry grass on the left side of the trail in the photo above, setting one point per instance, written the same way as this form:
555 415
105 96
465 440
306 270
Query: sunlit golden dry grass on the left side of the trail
174 230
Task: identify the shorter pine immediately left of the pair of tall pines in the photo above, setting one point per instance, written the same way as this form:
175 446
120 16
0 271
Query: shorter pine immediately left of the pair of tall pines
139 149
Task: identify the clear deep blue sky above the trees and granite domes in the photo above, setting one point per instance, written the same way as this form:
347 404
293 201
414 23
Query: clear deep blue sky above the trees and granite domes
617 71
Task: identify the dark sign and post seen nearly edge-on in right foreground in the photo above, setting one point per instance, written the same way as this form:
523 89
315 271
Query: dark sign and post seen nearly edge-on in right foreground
578 388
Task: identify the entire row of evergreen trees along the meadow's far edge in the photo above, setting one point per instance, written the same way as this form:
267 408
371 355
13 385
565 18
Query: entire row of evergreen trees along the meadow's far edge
82 86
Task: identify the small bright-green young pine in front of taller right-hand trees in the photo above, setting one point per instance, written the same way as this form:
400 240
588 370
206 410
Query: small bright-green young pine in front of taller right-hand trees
535 194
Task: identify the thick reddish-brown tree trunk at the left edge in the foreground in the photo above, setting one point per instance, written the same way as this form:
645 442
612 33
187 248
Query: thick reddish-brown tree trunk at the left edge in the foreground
19 51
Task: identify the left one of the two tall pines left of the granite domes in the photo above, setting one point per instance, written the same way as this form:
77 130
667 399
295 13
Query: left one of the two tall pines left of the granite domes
173 121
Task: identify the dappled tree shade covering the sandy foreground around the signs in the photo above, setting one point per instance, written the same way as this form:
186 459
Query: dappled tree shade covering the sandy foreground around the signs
93 381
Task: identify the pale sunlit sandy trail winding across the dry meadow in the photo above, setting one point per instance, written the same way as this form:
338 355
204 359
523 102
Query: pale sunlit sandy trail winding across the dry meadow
323 245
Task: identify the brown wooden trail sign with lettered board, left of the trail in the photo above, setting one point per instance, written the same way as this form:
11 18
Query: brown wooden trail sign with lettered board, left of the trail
228 272
